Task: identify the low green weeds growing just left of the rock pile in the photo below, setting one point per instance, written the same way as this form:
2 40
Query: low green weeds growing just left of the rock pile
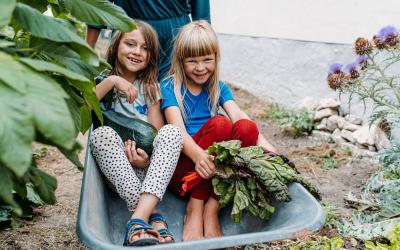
295 122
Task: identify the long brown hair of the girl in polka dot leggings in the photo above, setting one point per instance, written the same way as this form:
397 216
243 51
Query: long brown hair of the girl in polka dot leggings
147 76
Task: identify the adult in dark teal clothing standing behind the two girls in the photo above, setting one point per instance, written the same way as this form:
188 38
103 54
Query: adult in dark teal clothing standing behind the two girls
166 17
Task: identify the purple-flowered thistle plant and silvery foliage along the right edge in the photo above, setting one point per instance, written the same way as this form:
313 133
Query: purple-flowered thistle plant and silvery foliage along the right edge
374 77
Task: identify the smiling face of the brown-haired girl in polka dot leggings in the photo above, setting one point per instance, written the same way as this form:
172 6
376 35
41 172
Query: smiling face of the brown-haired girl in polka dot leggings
132 53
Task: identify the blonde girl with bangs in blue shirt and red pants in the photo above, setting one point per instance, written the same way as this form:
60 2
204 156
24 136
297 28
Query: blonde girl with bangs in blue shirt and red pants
192 97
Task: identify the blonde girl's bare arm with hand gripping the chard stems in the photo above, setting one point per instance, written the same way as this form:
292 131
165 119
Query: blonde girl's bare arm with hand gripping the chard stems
204 163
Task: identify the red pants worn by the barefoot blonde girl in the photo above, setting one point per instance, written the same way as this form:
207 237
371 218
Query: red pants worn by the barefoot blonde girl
217 129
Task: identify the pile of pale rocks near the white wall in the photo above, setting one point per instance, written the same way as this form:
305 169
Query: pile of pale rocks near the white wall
345 126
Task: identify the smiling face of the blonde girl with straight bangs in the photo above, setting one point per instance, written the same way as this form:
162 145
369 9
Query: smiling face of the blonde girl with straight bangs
199 69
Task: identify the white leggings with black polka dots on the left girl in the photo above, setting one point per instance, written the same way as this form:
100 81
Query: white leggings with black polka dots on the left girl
108 150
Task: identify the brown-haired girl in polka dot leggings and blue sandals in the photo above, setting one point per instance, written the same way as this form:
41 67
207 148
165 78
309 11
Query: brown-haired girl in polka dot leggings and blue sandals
139 180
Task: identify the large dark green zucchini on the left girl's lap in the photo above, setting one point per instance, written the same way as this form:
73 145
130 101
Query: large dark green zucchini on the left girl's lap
143 133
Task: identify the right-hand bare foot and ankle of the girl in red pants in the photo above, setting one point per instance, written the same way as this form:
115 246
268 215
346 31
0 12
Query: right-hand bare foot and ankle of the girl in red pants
212 228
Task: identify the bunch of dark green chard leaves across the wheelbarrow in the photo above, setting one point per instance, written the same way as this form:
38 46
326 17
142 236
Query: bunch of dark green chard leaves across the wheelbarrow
248 177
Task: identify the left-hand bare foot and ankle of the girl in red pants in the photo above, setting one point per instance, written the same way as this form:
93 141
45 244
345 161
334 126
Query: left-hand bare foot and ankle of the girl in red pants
193 224
